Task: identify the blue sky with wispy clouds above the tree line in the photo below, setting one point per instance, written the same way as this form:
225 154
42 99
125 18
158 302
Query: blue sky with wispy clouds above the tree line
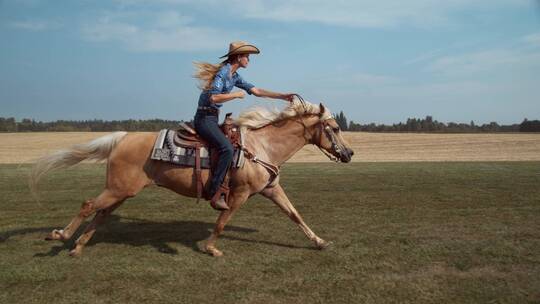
378 61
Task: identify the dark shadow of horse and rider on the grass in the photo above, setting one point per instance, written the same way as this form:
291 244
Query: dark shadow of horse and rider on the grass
140 232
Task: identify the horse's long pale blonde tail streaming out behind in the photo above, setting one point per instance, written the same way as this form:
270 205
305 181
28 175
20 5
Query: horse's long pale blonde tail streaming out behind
98 149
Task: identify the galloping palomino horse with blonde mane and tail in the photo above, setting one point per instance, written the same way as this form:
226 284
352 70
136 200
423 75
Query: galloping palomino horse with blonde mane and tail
271 136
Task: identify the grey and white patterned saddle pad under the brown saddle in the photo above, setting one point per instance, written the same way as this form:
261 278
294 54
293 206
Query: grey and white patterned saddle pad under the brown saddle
166 150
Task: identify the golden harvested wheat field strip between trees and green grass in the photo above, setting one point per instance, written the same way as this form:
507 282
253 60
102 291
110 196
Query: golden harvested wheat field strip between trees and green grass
368 147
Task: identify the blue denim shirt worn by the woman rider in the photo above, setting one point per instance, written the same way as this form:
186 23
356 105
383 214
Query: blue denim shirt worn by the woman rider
223 83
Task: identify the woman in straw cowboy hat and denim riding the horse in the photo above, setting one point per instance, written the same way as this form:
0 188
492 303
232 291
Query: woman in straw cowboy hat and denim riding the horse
217 82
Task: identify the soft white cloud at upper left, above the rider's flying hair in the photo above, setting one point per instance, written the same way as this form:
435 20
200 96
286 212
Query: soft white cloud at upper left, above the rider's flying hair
164 31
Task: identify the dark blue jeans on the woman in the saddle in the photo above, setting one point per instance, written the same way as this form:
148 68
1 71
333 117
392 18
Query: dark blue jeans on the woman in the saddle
208 128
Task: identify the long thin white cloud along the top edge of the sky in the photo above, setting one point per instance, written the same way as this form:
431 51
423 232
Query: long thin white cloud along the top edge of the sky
351 13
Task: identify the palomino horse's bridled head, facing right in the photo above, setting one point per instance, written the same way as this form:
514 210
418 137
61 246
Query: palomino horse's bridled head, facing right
328 137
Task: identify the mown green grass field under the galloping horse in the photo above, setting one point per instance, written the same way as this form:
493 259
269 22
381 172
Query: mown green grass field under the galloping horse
402 233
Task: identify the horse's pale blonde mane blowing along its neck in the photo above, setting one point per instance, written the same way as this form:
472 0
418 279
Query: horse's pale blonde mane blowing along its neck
258 117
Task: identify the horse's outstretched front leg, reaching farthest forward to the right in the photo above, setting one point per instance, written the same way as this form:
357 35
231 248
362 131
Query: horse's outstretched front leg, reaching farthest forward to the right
278 196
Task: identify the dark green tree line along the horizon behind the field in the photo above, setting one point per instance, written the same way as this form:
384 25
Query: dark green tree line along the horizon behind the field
427 124
